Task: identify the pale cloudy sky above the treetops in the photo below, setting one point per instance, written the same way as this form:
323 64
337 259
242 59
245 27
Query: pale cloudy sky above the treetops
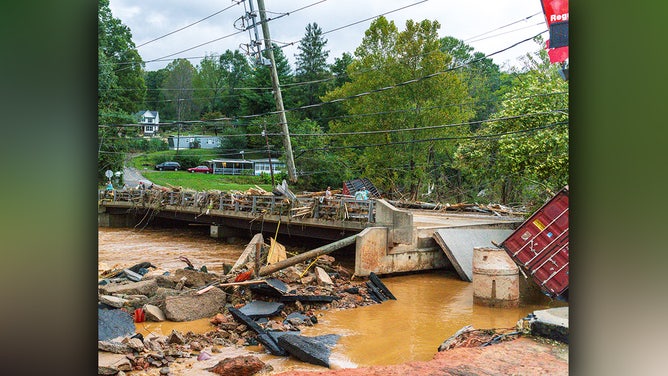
486 25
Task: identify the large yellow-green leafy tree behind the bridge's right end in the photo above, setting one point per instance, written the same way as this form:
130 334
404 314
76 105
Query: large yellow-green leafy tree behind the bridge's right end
394 141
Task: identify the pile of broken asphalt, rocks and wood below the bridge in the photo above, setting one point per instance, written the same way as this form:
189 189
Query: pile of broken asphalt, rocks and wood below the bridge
244 308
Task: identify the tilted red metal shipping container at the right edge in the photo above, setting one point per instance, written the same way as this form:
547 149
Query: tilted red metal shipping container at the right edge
540 245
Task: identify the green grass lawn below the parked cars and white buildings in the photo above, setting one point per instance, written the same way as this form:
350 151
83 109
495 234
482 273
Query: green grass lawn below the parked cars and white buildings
204 182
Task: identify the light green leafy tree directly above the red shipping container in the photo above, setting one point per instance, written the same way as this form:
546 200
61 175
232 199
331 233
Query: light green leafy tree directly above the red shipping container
522 156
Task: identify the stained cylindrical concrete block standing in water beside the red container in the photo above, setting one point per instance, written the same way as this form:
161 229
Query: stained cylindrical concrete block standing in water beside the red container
495 278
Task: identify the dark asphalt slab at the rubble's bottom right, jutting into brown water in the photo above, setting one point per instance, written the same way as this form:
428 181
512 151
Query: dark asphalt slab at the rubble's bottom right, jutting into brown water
314 350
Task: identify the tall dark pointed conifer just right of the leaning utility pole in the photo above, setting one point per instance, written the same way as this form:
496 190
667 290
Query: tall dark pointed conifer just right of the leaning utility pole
311 67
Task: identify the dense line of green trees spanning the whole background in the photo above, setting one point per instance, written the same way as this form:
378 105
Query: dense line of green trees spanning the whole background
423 117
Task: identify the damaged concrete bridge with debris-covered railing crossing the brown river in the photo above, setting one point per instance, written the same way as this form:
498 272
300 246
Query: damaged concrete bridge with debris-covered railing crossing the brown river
387 239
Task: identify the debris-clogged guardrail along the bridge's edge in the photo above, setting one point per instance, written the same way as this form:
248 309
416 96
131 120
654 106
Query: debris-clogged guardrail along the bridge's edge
338 208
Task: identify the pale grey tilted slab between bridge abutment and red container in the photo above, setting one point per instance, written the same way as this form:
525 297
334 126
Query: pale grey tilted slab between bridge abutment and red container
458 244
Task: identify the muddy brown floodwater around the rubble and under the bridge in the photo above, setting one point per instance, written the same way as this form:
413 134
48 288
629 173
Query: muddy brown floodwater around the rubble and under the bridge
430 306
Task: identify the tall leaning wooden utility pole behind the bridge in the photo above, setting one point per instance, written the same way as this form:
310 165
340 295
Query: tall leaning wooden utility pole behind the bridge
292 174
